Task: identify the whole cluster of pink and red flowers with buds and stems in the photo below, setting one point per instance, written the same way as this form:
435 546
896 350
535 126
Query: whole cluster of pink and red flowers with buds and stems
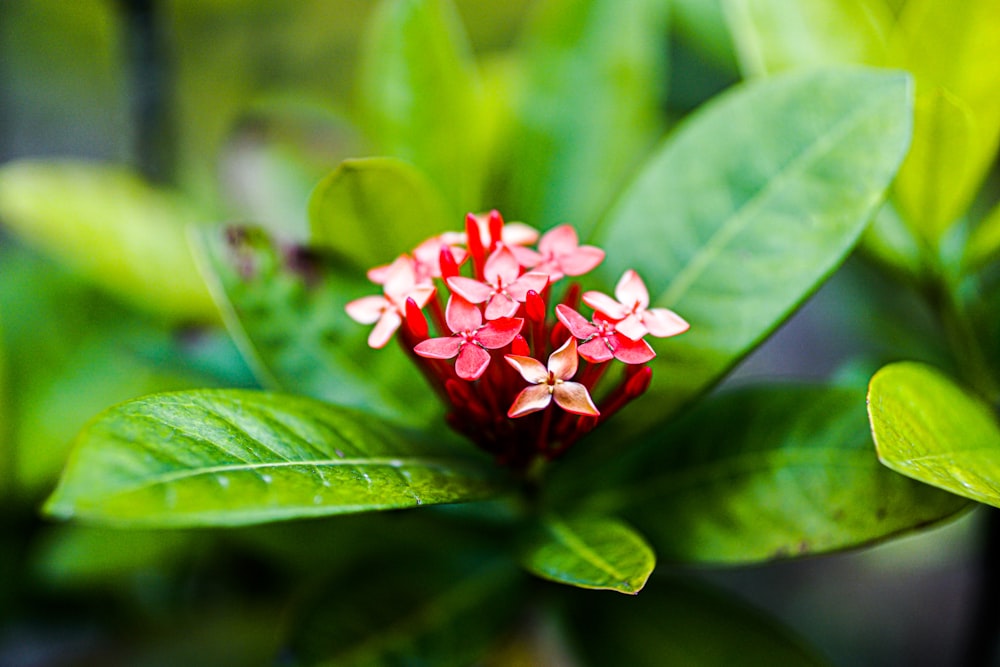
495 323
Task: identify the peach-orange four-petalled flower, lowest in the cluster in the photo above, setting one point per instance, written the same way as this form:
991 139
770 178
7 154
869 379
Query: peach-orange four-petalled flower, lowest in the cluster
551 383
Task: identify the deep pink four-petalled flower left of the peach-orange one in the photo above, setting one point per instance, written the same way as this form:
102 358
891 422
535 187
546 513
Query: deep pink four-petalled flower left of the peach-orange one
471 339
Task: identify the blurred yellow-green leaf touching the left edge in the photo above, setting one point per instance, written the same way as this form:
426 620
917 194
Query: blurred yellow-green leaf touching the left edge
108 225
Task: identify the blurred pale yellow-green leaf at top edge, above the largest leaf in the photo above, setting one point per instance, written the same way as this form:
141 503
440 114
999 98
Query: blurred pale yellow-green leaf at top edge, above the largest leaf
774 35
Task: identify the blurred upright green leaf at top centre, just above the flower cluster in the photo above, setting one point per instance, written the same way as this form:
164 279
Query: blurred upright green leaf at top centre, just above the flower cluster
589 106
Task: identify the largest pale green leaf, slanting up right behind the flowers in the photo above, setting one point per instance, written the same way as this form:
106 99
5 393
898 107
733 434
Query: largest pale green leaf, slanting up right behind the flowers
749 206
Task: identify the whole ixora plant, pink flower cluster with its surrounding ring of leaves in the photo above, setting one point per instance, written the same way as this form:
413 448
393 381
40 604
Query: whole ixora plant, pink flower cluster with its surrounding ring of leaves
731 224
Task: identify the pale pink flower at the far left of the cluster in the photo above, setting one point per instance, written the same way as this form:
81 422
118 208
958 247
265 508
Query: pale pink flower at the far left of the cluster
386 312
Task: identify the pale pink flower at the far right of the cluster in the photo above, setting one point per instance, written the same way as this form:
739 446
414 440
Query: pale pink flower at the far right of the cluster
632 317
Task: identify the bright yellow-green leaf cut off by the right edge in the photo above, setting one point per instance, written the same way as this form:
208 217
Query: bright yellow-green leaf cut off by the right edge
928 428
